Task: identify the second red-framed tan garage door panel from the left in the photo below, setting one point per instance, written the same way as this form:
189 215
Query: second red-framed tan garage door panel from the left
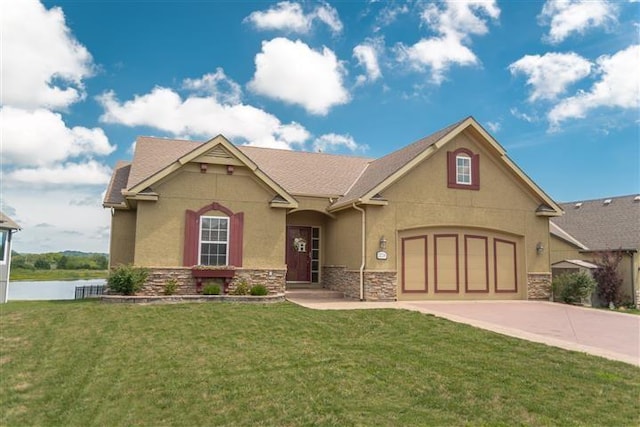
446 263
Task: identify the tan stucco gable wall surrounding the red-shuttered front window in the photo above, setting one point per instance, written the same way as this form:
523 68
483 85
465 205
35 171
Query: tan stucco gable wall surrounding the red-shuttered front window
160 225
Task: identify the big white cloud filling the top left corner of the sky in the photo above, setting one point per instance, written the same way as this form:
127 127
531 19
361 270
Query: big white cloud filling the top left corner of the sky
42 65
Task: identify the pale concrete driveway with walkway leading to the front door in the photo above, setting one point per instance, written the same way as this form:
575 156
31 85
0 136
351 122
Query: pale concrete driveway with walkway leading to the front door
612 335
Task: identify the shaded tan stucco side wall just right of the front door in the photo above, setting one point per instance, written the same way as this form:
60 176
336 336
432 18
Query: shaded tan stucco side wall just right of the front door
343 240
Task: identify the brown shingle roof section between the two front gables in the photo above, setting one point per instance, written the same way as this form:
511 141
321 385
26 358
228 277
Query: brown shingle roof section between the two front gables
305 173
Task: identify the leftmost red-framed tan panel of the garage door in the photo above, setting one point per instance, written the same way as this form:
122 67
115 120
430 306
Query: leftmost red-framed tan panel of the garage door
414 265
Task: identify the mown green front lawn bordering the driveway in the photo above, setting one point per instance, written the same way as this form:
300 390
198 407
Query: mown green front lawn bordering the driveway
92 364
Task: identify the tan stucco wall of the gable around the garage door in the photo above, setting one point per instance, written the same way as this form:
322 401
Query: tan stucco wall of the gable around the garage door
422 198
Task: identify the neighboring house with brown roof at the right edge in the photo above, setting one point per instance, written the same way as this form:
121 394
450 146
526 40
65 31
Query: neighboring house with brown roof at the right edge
592 226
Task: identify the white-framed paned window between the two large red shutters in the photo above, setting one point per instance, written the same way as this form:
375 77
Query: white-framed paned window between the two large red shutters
214 240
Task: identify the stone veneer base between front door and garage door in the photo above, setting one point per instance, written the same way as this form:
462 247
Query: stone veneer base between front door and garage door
378 285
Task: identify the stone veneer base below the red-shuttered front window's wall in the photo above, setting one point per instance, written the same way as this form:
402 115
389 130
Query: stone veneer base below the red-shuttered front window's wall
273 279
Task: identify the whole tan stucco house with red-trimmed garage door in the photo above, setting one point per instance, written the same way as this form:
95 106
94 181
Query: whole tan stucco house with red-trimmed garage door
447 217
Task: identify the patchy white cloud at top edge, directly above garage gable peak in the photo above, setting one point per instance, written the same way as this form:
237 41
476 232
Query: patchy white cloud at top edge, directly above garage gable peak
454 23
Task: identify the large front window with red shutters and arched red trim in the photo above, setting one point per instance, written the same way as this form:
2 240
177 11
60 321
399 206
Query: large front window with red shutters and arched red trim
213 239
